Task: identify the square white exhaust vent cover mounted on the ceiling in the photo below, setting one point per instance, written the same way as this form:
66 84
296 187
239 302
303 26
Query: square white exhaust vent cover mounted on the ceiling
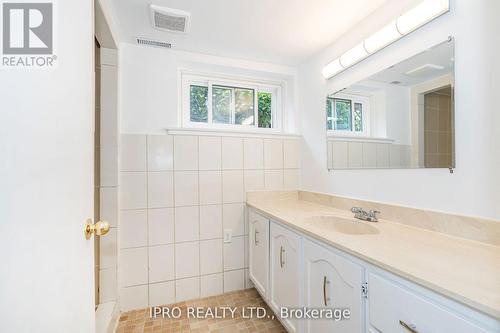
169 19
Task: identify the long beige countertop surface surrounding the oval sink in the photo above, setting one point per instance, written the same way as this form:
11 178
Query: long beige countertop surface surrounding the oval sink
463 270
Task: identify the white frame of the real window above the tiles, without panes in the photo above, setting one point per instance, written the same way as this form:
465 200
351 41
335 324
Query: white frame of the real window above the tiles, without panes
257 85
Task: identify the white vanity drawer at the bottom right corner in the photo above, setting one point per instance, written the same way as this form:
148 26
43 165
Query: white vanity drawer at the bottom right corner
395 309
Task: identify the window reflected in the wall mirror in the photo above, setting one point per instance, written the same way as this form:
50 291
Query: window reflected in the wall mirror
347 115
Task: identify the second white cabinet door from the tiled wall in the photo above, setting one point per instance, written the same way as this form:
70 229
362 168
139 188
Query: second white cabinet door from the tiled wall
285 260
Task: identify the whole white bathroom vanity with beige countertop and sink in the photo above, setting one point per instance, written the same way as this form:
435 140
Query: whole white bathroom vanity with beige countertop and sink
392 277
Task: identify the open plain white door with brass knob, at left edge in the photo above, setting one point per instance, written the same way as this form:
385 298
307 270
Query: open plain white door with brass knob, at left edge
46 184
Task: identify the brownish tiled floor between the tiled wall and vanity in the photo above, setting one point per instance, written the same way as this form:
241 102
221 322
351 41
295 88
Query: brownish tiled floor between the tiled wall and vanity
140 321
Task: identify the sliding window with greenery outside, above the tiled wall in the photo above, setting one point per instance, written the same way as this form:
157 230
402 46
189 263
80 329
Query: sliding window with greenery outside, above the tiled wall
214 103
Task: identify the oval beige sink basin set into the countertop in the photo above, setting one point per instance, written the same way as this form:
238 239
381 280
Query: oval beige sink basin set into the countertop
345 226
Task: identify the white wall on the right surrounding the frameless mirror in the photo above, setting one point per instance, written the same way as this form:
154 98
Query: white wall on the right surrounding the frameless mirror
474 187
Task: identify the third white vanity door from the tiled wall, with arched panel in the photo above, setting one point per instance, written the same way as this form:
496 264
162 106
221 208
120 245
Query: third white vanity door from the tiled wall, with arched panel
330 281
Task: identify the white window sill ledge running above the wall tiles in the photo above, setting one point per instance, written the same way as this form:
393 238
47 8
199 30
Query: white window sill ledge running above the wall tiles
263 133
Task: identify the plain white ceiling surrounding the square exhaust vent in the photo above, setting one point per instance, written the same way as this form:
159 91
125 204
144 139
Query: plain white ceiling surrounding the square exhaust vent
279 31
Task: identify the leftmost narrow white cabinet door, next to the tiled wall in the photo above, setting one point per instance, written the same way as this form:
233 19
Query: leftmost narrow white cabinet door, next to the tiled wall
258 251
